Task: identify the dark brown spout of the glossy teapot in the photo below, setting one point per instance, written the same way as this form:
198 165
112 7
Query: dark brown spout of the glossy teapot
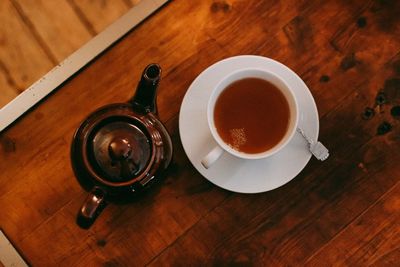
145 98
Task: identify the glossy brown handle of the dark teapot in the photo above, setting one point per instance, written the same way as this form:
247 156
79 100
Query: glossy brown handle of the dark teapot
91 208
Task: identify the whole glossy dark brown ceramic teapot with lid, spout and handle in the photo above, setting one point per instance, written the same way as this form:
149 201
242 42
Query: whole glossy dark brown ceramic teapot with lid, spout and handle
121 149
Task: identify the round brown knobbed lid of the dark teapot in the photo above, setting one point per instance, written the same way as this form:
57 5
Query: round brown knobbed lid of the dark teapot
118 149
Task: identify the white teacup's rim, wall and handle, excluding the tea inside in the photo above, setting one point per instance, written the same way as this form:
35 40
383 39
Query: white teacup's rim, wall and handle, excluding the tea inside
222 147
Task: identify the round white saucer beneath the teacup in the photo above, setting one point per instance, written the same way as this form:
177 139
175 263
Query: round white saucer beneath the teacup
229 172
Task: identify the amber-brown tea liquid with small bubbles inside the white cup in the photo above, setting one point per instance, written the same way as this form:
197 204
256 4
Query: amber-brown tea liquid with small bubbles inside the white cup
251 115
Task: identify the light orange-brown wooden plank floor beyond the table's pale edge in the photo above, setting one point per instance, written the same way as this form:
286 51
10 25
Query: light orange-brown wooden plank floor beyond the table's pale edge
36 35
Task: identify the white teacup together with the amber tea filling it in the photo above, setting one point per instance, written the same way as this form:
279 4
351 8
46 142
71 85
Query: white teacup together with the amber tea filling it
252 114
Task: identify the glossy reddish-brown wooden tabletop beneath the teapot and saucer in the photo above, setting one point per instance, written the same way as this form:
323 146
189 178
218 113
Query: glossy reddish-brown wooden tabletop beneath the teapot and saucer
343 211
